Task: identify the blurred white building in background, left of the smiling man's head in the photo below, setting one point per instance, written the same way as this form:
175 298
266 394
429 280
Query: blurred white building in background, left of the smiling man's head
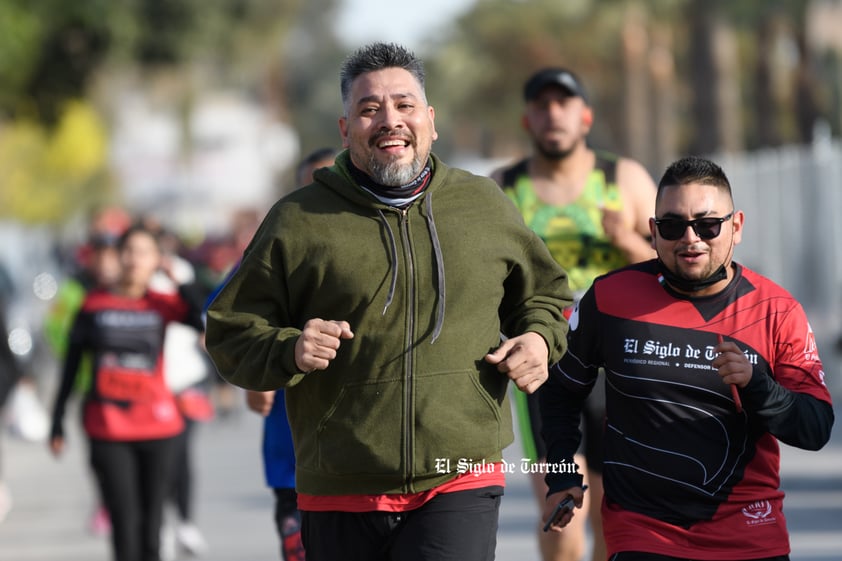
193 172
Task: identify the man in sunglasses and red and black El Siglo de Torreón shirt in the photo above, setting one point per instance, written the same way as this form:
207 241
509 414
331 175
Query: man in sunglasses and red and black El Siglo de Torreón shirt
708 365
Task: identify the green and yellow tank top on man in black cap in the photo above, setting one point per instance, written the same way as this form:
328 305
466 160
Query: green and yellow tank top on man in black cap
573 233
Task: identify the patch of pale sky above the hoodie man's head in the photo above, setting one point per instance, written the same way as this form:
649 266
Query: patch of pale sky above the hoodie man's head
362 21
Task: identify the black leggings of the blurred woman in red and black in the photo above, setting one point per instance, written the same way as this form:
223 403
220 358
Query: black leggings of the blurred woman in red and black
134 478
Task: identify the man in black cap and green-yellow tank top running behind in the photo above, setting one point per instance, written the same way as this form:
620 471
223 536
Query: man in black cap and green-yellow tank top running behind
592 209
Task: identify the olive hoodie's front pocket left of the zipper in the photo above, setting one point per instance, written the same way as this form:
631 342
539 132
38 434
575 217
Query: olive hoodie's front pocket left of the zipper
361 432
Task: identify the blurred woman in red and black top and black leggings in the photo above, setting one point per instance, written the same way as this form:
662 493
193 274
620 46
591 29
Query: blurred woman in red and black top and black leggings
129 415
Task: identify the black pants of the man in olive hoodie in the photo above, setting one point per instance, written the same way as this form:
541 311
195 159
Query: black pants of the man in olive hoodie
460 526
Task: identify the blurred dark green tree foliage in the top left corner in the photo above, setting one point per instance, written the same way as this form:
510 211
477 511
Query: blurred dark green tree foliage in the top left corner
51 49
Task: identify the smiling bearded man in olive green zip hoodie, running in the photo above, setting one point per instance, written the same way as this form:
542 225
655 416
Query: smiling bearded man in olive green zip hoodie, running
377 296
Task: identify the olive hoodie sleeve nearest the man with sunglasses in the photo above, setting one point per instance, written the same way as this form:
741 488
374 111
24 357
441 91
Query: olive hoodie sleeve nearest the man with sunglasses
536 295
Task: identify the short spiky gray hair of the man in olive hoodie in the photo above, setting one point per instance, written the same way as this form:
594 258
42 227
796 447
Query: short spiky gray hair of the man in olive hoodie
378 56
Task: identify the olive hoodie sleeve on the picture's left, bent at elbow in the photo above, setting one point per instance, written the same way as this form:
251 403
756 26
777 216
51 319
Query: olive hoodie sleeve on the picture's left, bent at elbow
248 334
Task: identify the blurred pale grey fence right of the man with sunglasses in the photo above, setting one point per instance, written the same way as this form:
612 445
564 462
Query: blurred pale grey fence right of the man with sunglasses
792 198
